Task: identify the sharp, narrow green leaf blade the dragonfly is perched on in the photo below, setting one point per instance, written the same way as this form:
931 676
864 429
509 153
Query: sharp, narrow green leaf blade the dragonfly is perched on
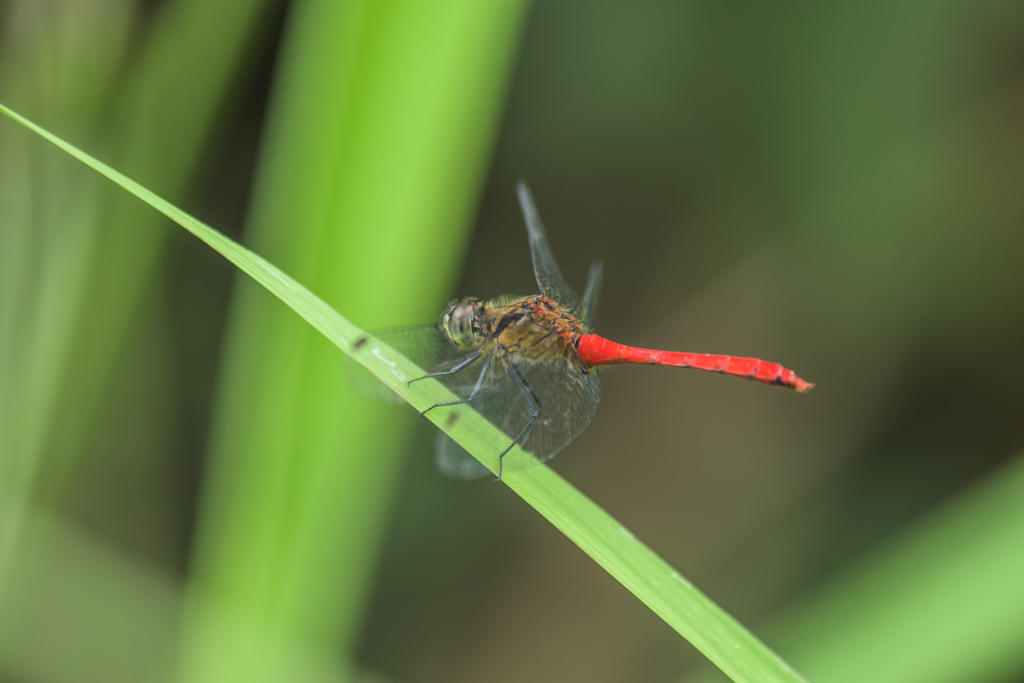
728 644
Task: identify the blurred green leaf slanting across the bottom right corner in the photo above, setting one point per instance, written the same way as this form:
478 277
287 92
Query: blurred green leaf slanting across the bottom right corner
943 603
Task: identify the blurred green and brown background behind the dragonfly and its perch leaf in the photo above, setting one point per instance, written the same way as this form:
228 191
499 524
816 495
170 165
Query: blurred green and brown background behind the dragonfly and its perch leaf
189 493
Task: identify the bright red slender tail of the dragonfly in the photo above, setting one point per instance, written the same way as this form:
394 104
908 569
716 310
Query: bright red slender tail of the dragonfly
600 352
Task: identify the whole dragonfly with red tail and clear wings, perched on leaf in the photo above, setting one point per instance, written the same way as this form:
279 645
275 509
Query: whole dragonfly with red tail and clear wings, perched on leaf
530 365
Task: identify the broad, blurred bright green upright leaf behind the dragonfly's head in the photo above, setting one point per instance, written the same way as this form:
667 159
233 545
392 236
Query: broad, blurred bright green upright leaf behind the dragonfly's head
379 131
